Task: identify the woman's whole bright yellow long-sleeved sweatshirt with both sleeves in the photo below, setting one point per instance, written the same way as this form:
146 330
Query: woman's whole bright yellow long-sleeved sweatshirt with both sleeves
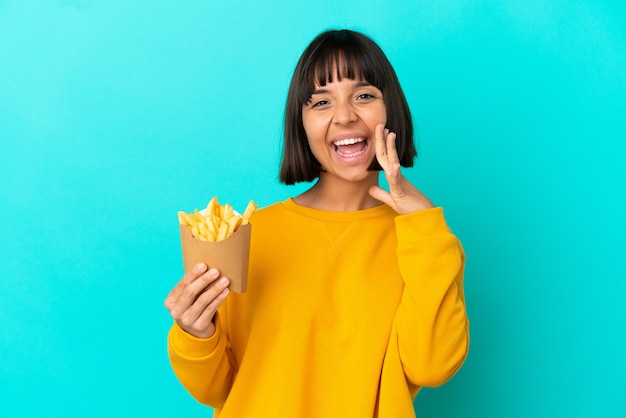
347 314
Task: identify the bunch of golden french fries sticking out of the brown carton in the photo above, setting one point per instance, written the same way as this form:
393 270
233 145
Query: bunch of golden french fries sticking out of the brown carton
216 222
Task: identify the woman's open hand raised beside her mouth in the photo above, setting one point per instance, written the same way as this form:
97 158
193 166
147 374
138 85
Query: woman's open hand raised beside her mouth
402 196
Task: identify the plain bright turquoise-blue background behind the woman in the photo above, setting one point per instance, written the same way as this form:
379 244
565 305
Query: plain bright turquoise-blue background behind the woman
116 114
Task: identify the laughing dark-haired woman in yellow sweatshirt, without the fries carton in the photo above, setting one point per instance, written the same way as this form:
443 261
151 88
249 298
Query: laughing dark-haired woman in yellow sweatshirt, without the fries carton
355 296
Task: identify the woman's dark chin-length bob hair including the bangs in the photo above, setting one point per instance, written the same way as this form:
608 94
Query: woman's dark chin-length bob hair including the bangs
350 55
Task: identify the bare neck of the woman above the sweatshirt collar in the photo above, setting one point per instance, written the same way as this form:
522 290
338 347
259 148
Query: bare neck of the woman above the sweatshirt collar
338 195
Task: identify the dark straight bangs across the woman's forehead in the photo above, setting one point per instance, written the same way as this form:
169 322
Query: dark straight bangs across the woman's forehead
341 60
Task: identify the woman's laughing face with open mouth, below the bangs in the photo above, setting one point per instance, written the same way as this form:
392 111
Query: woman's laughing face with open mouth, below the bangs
339 121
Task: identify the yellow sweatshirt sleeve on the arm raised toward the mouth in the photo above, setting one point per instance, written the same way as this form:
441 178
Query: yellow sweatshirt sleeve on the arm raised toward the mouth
431 262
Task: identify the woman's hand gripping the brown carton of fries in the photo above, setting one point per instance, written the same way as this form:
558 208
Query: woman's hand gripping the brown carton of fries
195 299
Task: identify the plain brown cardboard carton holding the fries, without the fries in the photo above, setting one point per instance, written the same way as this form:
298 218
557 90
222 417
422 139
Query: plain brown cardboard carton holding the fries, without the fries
229 256
